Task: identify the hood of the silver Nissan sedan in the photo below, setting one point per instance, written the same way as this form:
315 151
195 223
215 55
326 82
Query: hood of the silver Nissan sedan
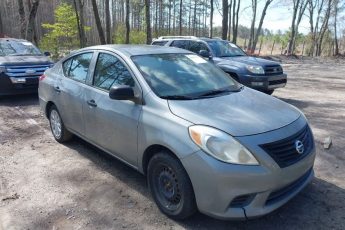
243 113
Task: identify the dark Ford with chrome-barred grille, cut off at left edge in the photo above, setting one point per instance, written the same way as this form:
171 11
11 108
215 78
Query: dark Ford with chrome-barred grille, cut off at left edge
21 65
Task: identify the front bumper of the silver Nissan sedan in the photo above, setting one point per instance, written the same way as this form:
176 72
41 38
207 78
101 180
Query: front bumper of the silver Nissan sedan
217 184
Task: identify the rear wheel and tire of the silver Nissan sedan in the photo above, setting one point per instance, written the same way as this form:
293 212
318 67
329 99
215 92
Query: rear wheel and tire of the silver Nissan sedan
59 131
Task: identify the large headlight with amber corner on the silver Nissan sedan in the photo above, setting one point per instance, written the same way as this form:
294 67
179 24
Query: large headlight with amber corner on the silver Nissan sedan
221 145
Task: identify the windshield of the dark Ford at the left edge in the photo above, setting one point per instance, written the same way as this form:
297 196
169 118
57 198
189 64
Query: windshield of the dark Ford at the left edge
18 48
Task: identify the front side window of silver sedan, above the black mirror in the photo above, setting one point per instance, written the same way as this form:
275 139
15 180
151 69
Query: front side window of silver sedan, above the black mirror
111 71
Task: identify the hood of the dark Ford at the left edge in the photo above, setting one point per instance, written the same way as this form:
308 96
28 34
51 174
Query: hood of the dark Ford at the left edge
15 60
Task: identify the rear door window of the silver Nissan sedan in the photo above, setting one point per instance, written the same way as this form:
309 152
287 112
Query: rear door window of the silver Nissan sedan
77 67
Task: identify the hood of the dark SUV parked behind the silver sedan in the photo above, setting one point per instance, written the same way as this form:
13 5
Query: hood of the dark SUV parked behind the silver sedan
247 60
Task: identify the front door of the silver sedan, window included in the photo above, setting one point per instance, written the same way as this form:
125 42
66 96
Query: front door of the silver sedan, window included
112 124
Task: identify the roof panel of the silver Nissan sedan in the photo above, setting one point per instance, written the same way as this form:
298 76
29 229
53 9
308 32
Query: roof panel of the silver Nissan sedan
134 50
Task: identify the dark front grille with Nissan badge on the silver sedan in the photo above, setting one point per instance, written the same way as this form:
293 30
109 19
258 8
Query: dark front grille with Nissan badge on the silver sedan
284 152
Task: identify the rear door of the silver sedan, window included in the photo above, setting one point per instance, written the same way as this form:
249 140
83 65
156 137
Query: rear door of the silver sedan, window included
69 91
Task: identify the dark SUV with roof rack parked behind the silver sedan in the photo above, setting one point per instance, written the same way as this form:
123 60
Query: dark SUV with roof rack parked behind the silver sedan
257 73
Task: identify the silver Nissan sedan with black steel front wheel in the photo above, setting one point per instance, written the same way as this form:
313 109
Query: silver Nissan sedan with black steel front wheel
204 141
